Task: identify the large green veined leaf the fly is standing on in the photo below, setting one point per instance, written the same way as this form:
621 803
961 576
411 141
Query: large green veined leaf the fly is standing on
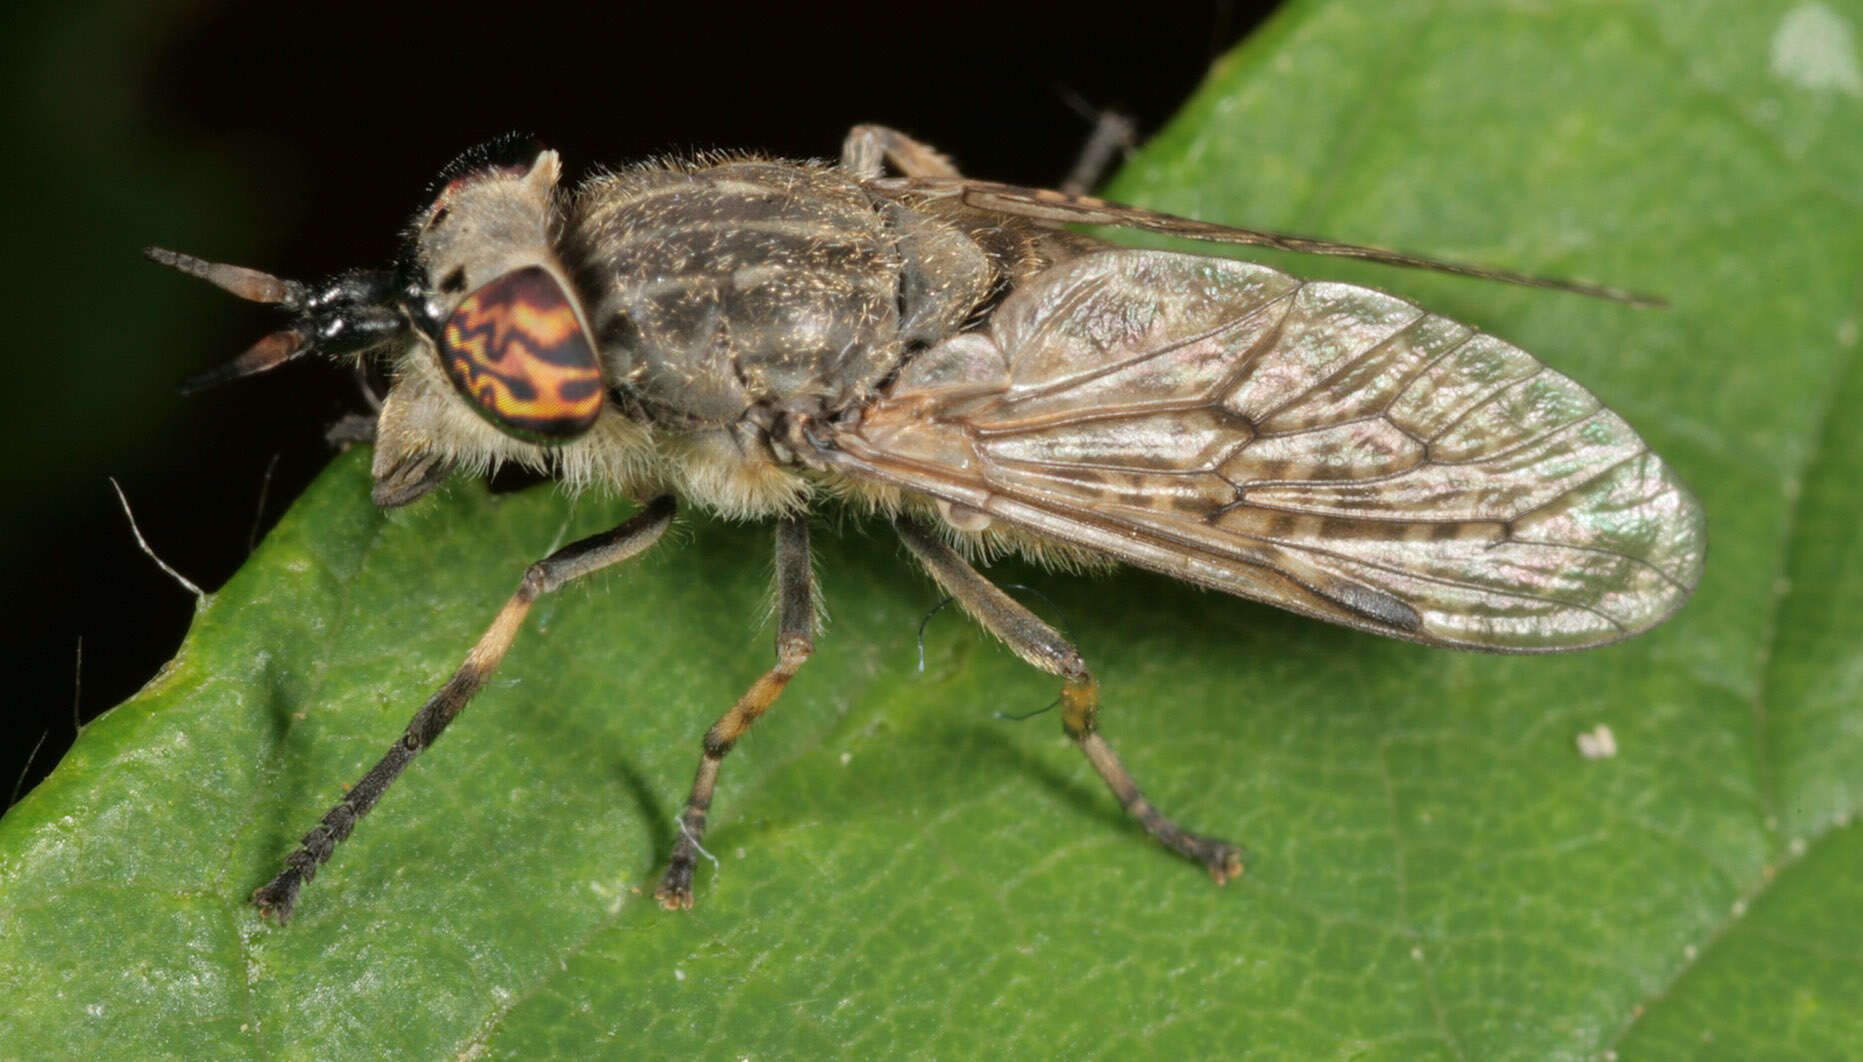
1434 867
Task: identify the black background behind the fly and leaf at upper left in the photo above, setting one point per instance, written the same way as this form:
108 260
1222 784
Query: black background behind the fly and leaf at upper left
299 141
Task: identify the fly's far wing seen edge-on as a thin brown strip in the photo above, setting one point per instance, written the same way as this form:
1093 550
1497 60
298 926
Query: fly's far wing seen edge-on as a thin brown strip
1065 210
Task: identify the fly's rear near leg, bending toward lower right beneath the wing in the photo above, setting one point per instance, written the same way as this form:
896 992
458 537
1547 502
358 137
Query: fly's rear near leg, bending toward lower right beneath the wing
1080 696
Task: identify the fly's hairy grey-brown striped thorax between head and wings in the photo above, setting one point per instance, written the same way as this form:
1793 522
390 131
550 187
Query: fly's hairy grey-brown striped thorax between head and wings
739 297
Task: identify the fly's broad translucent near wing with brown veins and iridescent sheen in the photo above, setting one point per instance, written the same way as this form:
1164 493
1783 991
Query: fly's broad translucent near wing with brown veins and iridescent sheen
1318 446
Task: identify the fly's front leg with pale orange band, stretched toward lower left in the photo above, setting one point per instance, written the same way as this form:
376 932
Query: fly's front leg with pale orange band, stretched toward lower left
554 571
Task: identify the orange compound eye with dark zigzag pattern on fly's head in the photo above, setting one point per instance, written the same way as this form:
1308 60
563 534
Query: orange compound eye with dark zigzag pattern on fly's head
517 349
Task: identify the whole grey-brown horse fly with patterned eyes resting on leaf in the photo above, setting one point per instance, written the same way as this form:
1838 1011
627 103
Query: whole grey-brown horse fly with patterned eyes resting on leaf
761 338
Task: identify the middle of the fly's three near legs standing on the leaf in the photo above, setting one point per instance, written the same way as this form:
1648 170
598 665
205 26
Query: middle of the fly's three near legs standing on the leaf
796 623
